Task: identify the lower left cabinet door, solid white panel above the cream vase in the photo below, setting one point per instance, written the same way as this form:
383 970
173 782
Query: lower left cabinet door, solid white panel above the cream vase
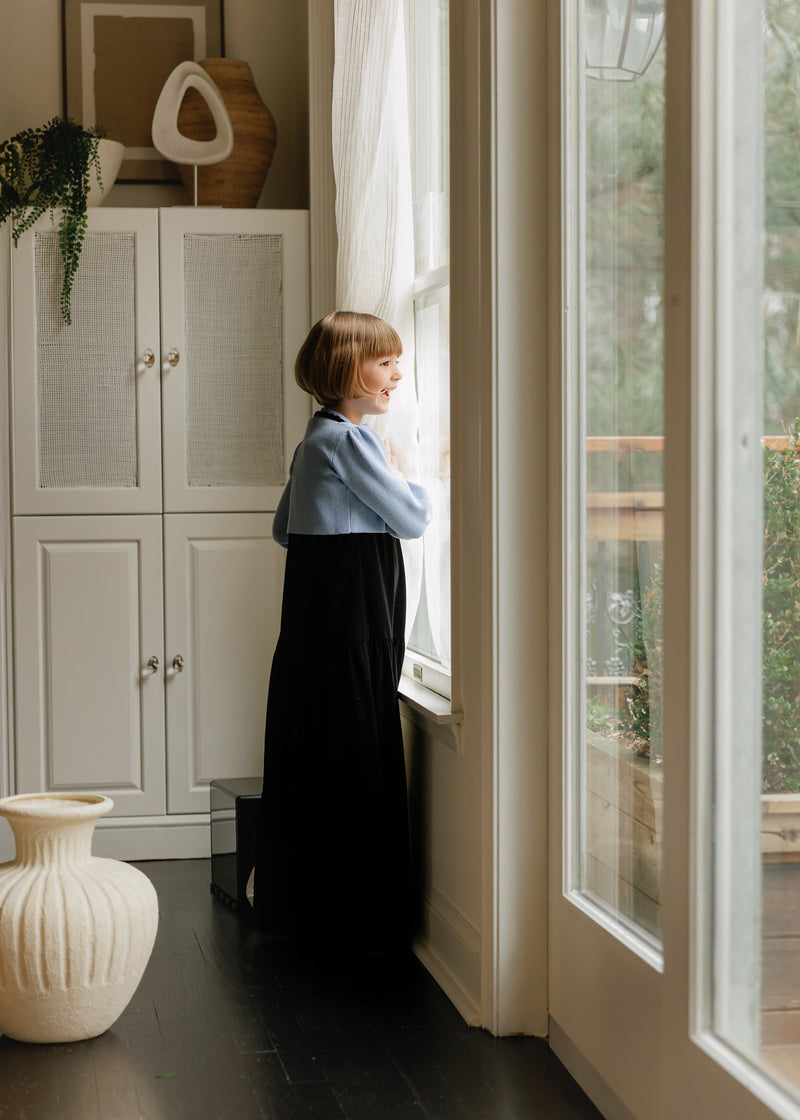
88 619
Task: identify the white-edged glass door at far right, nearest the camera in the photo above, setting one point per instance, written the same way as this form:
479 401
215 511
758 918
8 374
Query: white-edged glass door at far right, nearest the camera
747 769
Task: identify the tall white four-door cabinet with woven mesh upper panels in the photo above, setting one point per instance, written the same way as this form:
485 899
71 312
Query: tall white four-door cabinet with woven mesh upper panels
151 444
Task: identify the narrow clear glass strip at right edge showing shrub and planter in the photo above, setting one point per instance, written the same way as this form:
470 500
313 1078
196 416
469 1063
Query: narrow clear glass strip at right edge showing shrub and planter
780 832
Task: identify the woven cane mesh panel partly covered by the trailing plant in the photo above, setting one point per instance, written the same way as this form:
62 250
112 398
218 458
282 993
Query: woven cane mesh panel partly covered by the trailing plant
86 372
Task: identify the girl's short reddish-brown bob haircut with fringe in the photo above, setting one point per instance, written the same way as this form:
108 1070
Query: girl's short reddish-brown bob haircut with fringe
329 365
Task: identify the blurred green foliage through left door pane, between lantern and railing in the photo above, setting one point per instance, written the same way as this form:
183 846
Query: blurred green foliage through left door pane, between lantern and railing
625 256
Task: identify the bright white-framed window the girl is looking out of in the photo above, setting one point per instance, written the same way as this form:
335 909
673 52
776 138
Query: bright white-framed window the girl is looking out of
429 660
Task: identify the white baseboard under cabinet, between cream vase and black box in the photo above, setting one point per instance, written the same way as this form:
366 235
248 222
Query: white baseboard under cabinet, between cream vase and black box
142 838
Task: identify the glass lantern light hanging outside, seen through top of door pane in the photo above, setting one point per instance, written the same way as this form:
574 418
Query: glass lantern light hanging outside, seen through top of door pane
622 38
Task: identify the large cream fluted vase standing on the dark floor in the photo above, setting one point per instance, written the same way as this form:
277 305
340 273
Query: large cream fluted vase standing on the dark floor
77 931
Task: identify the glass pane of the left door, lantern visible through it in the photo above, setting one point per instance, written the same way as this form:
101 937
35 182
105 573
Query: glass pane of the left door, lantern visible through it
619 258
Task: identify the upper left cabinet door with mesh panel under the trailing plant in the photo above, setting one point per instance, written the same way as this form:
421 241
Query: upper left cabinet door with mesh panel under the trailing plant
87 406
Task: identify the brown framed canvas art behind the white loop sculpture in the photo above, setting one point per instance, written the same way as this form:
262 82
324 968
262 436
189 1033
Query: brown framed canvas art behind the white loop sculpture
118 54
